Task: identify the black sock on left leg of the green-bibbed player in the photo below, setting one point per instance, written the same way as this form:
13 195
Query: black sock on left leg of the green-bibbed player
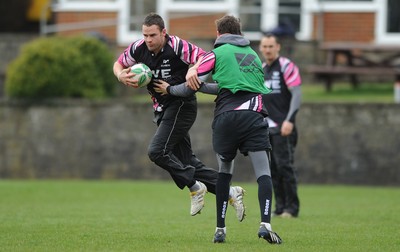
222 197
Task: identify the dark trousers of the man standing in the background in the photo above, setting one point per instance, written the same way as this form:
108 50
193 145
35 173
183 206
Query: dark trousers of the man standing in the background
284 178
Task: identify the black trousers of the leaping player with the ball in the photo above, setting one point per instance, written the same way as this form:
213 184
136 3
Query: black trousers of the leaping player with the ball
171 149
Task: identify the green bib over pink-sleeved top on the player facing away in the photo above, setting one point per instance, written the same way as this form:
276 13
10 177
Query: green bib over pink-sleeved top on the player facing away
237 70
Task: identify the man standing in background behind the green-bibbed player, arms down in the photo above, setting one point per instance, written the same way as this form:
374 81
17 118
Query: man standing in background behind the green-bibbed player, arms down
282 76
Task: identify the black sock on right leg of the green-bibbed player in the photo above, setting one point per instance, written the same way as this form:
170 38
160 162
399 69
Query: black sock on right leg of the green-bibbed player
265 197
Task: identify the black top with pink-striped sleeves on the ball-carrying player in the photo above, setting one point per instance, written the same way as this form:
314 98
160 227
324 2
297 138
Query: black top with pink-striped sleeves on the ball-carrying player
170 64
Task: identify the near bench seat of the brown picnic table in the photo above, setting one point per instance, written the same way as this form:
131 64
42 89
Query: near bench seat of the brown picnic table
328 73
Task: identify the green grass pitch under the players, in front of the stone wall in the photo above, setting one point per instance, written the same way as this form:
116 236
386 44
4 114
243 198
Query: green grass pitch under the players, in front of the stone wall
154 216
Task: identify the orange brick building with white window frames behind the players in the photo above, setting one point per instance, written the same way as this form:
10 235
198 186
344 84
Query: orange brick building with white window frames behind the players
376 21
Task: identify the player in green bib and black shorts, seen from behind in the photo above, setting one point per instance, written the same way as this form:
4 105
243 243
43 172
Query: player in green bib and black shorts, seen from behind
238 116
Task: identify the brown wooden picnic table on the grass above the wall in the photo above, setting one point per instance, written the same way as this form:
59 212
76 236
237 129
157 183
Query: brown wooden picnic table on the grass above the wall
359 59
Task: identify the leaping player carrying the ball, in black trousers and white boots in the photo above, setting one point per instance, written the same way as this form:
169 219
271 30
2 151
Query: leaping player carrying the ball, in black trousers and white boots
169 58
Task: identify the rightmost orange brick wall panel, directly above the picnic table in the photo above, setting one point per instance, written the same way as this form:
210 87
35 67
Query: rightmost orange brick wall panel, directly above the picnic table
355 27
